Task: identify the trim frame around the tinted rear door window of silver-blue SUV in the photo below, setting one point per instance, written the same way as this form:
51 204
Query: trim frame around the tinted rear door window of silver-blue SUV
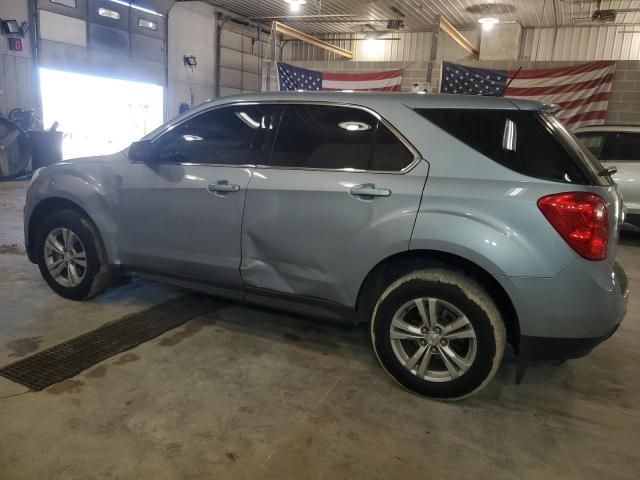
414 152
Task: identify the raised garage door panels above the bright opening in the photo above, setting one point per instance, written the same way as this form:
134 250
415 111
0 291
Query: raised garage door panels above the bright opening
111 38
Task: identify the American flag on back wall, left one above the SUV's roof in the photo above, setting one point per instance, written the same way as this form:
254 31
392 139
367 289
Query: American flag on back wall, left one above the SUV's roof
297 78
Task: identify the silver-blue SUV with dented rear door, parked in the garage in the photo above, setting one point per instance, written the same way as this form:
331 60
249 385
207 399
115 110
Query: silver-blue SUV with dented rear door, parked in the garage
451 225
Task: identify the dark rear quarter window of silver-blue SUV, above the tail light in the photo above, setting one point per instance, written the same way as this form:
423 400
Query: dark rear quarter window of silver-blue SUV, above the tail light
519 140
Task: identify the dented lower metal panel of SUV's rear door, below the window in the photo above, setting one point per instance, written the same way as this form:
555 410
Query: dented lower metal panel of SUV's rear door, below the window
307 232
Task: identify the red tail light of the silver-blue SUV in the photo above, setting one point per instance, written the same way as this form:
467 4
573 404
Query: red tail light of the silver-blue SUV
581 220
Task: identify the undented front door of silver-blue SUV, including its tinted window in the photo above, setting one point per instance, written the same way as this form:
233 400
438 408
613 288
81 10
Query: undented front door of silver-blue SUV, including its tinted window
181 214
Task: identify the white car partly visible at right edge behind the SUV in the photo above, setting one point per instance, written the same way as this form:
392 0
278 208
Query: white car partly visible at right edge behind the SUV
618 146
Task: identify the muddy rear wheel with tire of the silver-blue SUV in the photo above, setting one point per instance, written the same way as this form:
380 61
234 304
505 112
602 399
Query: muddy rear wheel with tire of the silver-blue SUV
402 334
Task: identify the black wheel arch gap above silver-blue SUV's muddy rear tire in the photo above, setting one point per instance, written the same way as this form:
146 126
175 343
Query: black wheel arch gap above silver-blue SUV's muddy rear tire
399 264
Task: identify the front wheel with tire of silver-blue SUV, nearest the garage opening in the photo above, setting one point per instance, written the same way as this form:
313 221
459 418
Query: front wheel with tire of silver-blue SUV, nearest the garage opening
84 247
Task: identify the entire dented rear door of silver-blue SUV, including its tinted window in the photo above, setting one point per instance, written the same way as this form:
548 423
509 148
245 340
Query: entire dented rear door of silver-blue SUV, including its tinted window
341 193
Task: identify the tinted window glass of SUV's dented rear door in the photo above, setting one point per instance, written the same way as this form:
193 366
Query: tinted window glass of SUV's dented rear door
335 137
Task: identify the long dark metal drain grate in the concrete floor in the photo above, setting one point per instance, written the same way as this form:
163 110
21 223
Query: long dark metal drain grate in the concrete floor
73 356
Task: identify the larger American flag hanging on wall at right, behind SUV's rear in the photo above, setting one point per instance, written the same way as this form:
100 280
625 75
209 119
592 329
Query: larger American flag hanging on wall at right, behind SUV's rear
581 91
